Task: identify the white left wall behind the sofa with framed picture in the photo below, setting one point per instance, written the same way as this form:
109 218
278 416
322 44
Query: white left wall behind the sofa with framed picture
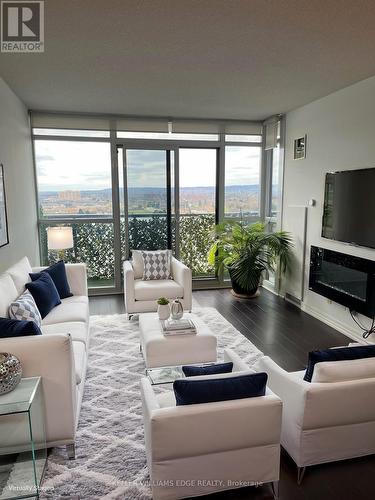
16 156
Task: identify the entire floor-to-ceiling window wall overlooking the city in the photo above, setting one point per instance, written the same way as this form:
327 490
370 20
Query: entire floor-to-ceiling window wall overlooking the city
120 190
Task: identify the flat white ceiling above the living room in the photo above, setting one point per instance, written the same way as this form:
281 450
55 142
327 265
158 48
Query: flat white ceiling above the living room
240 59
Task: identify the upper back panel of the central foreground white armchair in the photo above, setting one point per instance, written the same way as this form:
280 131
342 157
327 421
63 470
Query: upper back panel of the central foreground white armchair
192 430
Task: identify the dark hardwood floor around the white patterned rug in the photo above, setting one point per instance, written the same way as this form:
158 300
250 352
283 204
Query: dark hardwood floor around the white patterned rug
286 334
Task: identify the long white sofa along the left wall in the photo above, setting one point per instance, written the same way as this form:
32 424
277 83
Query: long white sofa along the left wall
59 355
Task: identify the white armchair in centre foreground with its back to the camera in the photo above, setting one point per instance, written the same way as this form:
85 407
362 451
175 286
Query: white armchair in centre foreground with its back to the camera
189 448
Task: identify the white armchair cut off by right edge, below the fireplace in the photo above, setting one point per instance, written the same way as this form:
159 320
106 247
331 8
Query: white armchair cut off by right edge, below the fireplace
325 420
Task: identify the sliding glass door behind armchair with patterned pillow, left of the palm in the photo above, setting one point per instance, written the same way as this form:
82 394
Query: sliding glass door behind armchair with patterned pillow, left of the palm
168 203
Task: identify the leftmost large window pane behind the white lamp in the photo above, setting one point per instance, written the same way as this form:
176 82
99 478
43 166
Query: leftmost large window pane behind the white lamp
74 189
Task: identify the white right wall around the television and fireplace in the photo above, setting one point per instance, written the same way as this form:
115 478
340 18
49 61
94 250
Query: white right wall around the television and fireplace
340 132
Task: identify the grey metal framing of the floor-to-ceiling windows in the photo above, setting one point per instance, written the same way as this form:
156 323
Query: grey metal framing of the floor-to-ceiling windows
172 145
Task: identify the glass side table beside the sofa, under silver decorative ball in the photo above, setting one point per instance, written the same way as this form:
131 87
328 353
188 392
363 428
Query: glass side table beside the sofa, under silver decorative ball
23 452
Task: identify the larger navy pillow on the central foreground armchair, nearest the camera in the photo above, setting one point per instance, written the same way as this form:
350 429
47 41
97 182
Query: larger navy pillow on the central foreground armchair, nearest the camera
190 392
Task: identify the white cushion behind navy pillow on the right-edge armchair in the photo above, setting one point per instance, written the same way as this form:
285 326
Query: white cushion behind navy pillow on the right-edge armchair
340 371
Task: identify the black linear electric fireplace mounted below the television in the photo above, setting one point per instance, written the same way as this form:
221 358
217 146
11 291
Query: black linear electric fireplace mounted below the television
343 278
